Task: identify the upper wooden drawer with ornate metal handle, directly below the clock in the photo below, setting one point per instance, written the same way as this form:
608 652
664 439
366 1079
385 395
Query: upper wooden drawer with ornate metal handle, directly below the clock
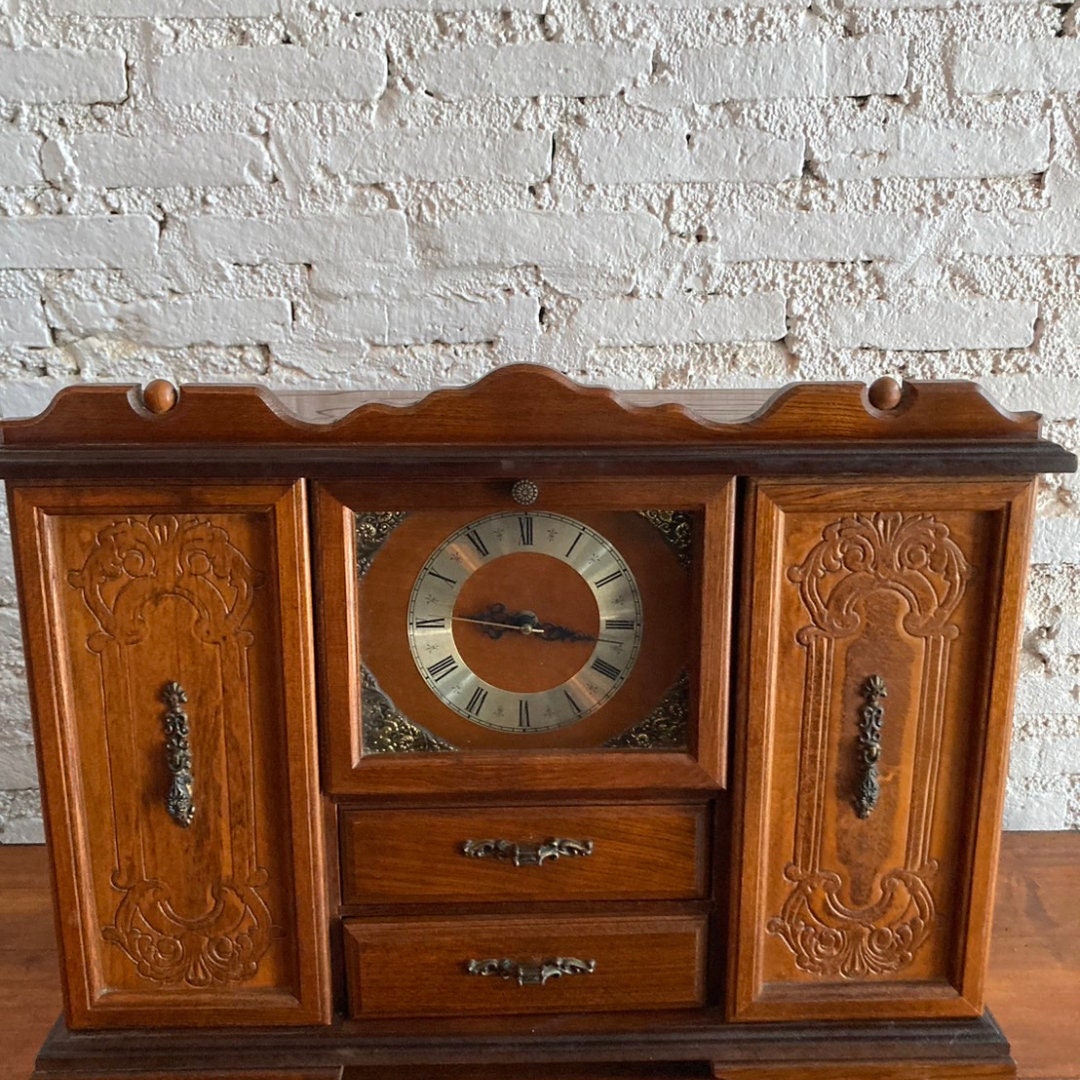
528 854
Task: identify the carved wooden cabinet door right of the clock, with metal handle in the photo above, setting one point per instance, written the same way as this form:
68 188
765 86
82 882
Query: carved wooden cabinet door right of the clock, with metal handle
881 625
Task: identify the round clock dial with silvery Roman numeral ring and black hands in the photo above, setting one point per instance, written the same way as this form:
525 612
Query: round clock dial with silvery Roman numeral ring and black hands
525 623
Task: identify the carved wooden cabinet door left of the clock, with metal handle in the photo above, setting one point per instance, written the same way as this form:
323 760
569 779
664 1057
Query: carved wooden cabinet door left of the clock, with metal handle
169 636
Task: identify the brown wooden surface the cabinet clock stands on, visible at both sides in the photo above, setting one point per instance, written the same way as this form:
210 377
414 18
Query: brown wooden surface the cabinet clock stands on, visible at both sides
1034 987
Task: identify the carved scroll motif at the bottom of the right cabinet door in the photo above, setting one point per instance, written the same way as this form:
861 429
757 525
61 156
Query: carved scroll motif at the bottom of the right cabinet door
831 940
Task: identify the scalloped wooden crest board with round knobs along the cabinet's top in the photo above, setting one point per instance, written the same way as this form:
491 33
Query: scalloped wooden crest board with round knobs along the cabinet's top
517 406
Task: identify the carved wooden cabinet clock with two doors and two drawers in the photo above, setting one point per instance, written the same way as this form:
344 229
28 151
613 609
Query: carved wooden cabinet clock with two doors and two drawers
524 731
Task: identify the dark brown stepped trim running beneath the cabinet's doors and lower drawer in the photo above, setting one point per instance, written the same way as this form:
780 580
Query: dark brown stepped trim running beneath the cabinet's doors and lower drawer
628 1037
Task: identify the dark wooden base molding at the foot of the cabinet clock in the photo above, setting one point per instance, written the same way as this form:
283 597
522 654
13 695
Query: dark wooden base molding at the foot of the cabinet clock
671 1047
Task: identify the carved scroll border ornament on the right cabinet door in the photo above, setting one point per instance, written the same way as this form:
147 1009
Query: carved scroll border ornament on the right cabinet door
913 557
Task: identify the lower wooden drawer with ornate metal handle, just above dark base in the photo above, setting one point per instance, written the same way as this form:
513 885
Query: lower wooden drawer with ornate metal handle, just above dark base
491 965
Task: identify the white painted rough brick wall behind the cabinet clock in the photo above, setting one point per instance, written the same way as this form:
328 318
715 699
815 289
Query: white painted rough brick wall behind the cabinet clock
682 193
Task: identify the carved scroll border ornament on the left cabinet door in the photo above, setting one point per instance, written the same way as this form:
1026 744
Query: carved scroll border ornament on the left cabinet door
132 566
